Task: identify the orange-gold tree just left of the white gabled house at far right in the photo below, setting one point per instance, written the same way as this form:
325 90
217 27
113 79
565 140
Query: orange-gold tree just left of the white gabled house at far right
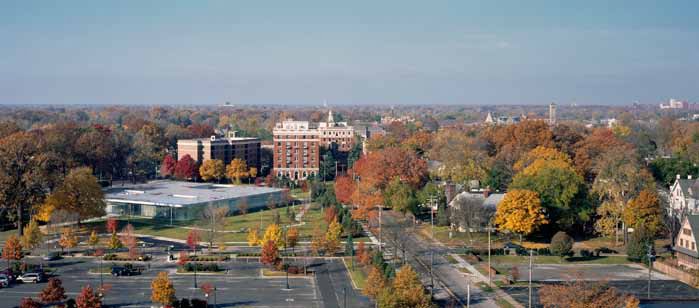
644 211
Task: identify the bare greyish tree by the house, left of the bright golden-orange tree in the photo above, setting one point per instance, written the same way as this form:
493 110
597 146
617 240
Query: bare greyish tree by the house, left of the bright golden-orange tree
470 213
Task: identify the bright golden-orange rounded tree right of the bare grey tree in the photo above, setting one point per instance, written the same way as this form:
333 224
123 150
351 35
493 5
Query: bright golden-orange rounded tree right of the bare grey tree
520 212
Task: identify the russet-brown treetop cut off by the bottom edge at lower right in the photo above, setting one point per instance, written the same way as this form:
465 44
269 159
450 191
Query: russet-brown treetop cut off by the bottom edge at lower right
580 293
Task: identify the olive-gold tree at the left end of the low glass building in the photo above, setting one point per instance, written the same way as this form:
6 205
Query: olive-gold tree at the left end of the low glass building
79 193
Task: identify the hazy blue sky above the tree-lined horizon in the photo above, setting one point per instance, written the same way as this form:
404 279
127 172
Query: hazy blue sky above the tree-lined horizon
348 52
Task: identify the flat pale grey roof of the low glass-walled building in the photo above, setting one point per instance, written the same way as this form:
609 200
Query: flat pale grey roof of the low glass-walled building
180 194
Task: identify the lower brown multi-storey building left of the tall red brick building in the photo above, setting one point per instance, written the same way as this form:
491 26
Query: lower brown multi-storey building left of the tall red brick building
221 148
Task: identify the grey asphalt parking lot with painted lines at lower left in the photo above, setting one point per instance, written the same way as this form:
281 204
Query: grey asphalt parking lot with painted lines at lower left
240 285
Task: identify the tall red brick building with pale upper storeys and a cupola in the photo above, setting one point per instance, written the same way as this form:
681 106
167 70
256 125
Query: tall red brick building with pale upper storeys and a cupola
297 145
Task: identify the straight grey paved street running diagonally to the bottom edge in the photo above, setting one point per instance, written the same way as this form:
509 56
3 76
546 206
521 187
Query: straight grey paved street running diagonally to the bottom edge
418 254
